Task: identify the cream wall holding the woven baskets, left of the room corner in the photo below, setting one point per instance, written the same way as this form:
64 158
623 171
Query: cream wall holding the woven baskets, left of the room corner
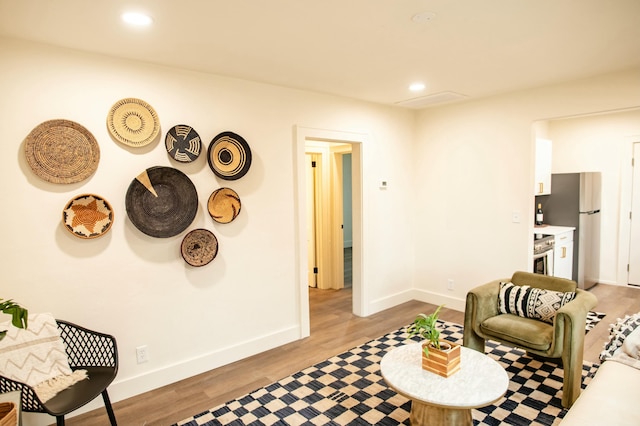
138 288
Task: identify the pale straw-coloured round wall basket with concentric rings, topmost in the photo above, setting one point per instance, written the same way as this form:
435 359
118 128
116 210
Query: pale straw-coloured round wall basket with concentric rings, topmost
133 122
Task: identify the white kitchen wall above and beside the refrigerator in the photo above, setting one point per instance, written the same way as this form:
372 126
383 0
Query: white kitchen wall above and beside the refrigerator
602 143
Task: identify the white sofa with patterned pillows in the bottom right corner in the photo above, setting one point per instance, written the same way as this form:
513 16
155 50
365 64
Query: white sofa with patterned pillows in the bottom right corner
611 398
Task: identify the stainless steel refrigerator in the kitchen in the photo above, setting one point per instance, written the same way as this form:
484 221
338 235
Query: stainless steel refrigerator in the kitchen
575 201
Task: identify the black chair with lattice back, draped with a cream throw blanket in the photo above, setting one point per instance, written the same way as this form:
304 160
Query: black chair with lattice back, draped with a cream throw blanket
86 350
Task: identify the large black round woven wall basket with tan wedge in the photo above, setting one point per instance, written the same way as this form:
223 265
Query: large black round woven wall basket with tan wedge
161 202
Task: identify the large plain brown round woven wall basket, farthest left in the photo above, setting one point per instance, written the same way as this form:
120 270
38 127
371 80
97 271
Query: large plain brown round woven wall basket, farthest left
62 151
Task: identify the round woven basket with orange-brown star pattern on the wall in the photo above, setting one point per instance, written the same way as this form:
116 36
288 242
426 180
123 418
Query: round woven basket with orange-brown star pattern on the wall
87 216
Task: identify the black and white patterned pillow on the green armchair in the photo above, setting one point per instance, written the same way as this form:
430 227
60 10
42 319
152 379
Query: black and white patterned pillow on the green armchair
531 302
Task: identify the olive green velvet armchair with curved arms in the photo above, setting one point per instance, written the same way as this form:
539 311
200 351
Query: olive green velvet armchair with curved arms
563 340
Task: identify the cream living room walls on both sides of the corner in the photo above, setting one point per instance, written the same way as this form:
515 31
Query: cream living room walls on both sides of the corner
455 176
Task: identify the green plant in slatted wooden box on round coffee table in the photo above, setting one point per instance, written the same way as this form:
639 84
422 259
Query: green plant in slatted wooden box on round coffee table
438 356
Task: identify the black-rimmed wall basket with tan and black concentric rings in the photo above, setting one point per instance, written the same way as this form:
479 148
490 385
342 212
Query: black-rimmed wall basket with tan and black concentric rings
229 156
